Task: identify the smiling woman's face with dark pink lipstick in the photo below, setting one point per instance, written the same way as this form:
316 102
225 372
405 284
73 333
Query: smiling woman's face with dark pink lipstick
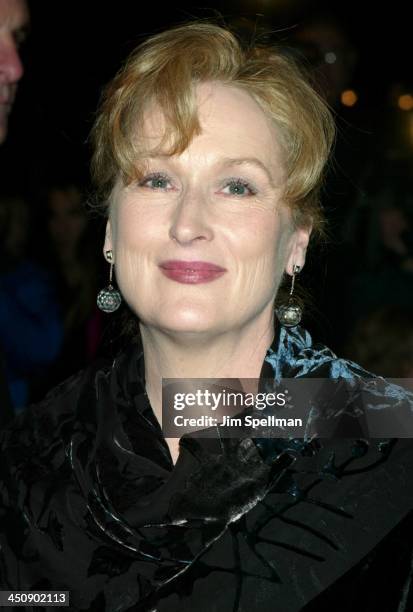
218 203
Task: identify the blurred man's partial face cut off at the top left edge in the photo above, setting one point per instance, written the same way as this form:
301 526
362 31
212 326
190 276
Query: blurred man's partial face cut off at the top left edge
13 22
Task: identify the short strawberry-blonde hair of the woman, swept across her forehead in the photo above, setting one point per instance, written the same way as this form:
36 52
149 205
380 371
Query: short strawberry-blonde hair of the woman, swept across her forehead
165 70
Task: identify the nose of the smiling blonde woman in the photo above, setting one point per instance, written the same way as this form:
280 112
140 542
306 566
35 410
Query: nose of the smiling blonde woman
190 220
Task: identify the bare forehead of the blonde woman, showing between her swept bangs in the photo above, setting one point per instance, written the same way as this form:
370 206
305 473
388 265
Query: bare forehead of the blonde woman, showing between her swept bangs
232 123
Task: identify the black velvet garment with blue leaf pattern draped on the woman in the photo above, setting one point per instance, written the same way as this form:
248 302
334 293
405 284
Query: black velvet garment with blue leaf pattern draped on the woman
91 503
